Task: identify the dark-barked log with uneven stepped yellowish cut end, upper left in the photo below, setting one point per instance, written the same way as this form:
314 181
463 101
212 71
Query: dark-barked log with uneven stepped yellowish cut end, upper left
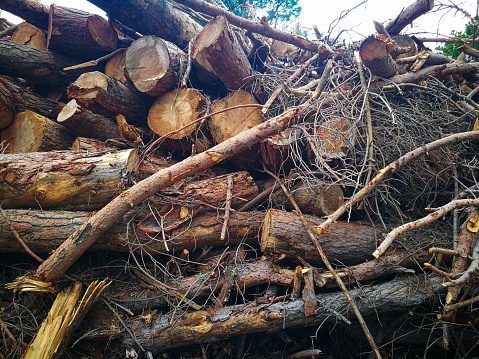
109 97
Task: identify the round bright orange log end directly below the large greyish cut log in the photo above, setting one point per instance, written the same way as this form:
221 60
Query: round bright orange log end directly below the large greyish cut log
175 110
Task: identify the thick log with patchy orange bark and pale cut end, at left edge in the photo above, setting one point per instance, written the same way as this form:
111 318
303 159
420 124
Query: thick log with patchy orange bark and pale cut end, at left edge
63 179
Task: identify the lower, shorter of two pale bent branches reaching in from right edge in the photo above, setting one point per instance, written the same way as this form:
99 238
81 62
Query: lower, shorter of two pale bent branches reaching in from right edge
438 213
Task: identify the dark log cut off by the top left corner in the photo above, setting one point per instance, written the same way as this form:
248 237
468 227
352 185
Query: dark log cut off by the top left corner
33 11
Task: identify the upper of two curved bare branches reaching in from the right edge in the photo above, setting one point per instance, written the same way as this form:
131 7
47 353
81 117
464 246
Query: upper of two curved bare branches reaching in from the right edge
393 168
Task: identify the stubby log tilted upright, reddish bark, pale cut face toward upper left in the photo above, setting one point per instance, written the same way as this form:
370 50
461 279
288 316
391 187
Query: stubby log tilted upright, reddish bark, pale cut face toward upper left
220 49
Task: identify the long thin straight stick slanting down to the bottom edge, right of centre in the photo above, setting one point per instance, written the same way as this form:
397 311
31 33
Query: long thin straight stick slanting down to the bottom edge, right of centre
328 265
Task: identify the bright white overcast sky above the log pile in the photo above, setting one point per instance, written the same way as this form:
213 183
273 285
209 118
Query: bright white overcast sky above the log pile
359 21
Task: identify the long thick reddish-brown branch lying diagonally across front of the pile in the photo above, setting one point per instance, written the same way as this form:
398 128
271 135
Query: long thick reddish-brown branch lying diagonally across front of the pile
52 268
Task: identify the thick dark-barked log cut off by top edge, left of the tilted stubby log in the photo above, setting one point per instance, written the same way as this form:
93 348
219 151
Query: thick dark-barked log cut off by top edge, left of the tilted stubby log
151 17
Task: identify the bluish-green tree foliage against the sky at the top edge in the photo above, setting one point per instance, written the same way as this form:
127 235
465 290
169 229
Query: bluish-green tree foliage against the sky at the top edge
279 12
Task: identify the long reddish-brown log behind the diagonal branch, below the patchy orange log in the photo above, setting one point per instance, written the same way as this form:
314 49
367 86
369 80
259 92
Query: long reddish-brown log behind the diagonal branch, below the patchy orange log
45 230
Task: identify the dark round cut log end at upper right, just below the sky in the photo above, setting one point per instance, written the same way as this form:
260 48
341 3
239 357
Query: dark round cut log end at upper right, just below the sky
375 54
